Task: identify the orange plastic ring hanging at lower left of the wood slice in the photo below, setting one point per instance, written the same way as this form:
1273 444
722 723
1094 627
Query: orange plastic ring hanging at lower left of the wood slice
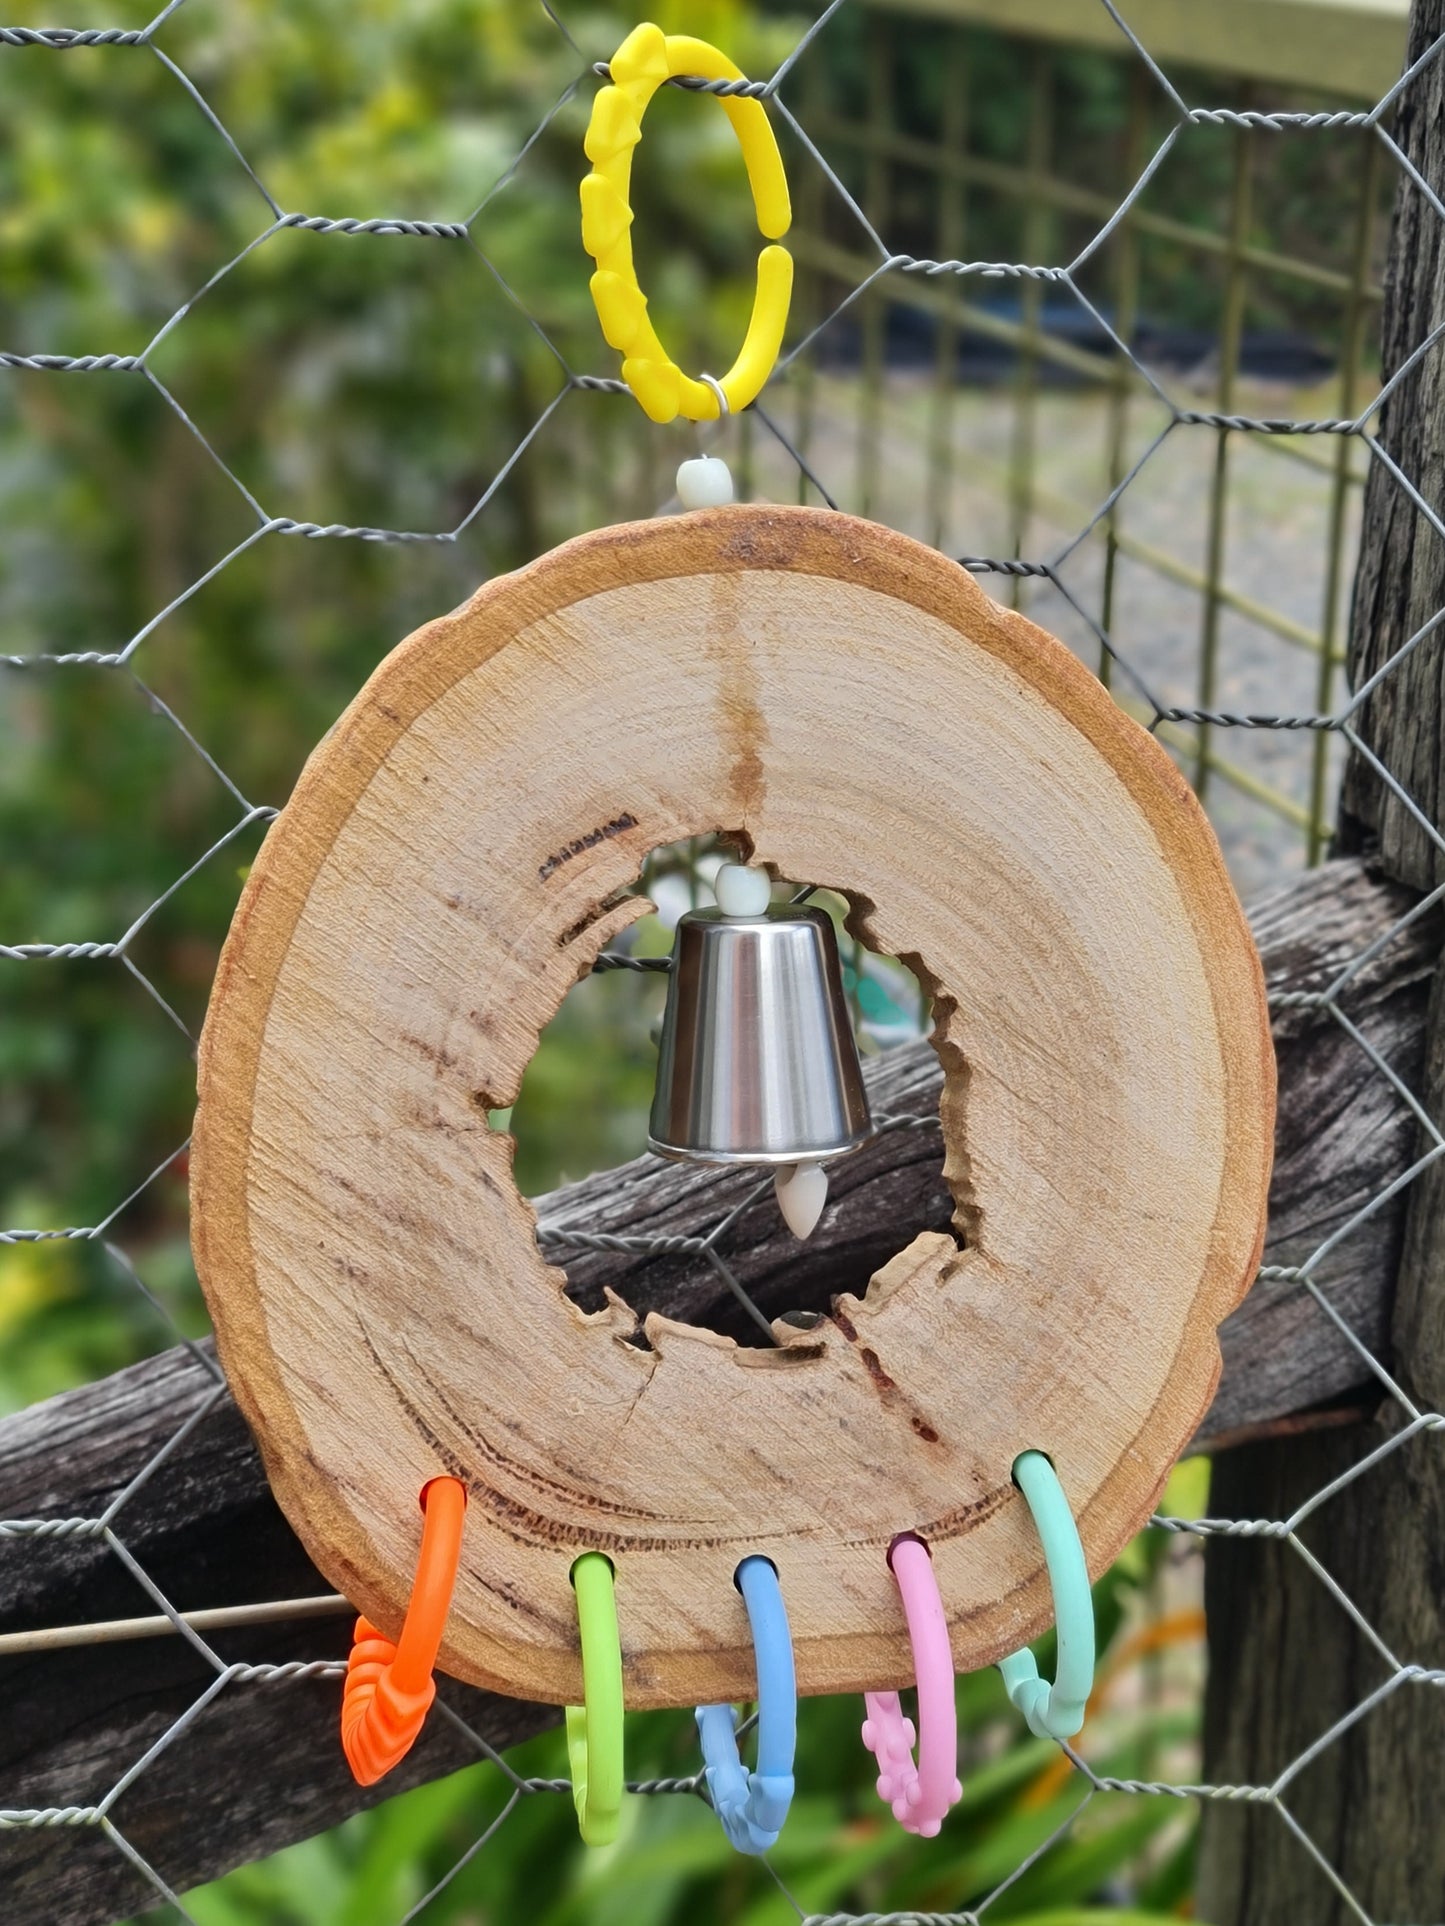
390 1688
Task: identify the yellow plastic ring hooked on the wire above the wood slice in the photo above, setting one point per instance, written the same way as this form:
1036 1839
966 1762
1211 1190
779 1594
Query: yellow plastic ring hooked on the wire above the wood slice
643 63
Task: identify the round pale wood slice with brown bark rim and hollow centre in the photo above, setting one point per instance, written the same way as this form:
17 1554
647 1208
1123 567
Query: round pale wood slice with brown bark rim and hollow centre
854 712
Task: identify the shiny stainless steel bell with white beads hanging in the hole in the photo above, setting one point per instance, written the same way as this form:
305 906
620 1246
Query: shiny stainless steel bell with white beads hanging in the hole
758 1060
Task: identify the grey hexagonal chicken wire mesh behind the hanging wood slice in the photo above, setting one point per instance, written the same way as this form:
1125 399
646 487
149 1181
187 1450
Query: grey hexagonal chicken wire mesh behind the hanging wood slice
797 446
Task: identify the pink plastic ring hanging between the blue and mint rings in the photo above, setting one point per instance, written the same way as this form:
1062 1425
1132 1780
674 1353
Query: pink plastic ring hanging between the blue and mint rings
920 1794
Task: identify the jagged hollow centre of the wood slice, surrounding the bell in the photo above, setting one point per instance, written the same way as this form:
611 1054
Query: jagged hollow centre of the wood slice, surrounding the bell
585 1105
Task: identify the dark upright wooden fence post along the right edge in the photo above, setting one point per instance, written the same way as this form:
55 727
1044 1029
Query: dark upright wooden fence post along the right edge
1357 1829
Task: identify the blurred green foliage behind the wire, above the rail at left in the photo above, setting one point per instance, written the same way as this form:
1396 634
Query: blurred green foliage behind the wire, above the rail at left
377 380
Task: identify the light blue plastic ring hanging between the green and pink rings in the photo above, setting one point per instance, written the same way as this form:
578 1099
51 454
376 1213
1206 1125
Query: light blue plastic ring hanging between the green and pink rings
754 1806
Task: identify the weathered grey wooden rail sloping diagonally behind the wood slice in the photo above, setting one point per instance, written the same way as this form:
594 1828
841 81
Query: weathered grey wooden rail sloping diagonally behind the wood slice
261 1767
